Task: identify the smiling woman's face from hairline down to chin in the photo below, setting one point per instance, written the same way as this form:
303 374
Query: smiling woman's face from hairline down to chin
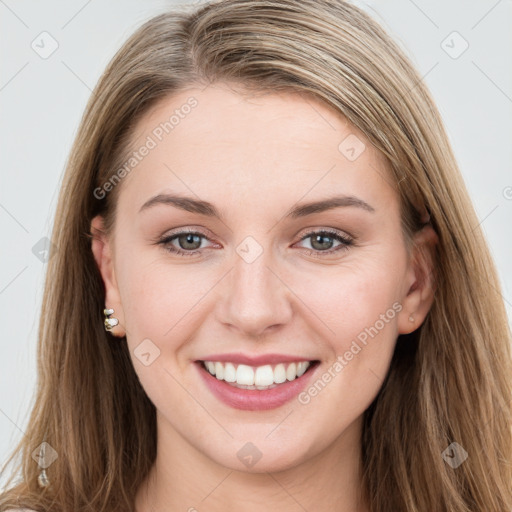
257 273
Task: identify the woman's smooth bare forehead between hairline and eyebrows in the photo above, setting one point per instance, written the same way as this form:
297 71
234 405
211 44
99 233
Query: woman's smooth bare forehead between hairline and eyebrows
222 141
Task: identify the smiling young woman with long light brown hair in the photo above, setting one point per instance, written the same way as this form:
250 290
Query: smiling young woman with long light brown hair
270 285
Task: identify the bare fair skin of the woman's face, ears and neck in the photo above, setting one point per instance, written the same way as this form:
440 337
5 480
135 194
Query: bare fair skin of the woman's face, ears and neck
254 158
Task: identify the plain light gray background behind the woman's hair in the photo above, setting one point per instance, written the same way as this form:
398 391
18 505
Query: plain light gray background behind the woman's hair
42 100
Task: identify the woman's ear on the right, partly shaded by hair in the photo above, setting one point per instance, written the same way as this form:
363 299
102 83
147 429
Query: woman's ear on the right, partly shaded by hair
420 281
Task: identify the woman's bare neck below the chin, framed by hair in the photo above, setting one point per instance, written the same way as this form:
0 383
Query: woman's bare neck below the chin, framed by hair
184 479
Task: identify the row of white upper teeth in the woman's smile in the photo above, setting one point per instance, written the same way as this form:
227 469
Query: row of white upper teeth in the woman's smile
261 377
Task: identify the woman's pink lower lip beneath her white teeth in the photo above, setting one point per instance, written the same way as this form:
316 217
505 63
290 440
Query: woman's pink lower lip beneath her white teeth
253 399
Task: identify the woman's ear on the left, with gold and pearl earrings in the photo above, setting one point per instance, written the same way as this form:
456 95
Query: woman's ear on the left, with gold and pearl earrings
102 250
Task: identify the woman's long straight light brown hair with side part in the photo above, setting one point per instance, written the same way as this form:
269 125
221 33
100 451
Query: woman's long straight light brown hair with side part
449 381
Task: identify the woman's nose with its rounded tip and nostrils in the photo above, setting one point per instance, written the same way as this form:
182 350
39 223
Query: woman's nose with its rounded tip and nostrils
254 298
